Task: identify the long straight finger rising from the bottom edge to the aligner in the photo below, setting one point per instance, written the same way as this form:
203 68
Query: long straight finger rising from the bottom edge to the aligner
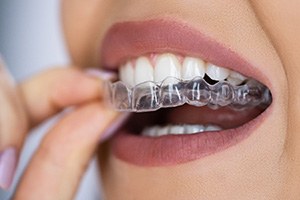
64 154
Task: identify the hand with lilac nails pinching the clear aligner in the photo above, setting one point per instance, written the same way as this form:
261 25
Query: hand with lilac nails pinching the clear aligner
63 155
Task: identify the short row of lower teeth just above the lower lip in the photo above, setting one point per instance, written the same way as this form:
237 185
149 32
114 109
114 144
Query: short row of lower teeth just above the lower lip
156 131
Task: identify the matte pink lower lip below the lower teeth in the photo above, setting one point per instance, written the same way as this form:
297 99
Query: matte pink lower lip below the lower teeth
177 149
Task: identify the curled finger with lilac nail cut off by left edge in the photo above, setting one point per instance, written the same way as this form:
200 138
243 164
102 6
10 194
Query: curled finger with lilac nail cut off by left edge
13 126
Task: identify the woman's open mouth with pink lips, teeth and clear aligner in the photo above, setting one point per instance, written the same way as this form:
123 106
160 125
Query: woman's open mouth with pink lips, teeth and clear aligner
189 96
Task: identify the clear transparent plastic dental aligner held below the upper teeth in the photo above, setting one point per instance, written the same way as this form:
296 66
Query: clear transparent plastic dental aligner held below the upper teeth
173 92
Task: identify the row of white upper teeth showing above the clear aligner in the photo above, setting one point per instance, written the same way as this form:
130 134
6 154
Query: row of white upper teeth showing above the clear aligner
168 65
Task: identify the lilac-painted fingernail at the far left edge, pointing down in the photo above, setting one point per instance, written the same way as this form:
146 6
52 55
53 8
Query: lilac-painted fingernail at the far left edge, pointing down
8 162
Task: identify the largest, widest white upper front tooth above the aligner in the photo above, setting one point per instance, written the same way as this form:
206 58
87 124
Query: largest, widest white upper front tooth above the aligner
166 65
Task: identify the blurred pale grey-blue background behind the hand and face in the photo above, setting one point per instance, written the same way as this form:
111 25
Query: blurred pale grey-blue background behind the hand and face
31 40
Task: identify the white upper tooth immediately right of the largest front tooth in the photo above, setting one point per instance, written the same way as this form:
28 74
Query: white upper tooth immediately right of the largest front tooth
192 67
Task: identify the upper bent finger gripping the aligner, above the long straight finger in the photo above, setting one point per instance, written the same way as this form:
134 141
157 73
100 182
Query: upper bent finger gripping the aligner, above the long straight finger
48 93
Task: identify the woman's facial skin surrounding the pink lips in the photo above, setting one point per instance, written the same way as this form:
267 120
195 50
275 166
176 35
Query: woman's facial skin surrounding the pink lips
265 32
